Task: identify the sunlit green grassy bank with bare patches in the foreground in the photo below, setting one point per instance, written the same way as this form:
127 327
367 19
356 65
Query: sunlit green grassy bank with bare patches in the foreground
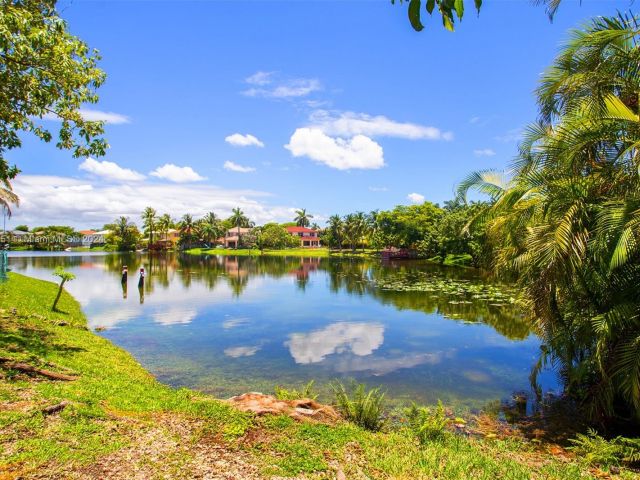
121 423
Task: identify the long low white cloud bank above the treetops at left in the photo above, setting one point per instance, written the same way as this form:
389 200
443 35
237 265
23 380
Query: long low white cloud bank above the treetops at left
49 200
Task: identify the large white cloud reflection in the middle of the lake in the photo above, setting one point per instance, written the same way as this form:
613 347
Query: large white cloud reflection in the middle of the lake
361 339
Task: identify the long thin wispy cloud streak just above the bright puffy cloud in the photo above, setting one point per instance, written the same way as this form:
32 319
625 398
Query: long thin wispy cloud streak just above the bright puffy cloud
347 124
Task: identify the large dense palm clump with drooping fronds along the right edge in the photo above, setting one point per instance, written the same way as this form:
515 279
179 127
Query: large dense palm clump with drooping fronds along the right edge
567 221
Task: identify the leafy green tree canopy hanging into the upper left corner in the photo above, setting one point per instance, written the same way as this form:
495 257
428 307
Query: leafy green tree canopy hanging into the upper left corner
46 73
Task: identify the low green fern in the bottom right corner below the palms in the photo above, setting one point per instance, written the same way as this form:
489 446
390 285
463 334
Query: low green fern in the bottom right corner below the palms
596 449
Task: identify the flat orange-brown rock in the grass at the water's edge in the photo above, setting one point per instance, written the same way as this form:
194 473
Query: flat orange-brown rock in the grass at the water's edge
302 409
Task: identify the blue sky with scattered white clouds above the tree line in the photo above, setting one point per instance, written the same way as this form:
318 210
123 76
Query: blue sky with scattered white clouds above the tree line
331 106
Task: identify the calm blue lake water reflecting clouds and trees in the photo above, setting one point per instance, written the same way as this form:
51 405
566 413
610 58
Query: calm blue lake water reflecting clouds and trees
227 325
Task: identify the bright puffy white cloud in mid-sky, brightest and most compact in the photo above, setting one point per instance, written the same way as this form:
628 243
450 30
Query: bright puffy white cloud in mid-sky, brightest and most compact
358 152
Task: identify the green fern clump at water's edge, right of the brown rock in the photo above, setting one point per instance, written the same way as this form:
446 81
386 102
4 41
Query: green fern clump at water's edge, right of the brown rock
365 409
